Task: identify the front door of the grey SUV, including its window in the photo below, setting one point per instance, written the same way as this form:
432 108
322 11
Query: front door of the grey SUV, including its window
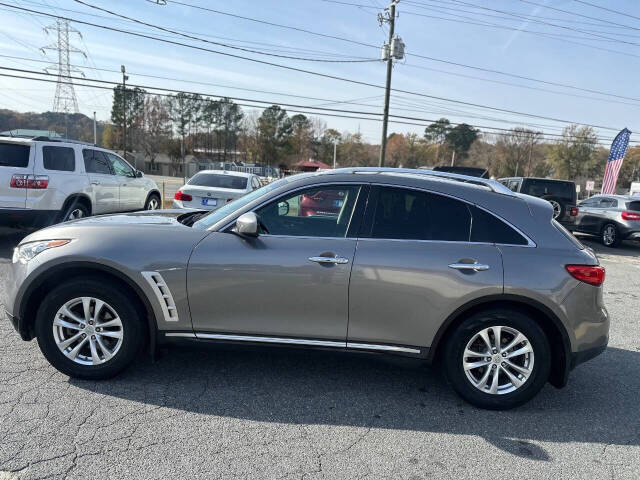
290 283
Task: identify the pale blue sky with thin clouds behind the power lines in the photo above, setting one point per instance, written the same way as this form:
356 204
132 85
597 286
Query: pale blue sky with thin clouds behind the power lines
466 42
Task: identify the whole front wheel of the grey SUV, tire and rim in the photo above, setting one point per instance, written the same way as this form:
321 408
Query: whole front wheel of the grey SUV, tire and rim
88 329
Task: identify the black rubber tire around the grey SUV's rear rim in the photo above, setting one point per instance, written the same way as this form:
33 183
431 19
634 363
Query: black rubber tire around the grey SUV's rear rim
457 342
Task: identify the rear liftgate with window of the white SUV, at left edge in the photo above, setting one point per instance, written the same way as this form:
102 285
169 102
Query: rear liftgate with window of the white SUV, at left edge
15 159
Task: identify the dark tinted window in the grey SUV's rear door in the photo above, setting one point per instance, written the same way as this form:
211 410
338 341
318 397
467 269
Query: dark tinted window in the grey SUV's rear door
413 215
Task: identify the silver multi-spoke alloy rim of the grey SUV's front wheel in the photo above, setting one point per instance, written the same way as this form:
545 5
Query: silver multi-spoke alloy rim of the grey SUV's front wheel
88 331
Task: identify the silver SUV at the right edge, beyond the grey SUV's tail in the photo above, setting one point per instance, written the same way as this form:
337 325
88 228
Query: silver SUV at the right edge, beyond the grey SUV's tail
613 218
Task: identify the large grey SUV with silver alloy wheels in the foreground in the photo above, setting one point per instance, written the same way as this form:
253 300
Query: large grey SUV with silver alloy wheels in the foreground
458 271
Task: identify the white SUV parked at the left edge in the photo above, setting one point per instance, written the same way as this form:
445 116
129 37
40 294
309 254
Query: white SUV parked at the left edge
45 181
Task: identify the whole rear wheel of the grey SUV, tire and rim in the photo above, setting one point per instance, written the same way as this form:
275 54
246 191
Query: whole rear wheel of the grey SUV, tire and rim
498 359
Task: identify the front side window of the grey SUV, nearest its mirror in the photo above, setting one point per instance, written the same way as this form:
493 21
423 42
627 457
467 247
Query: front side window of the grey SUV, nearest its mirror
316 212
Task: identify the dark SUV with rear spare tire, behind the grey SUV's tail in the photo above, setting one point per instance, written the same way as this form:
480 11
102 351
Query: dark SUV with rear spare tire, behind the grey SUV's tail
561 194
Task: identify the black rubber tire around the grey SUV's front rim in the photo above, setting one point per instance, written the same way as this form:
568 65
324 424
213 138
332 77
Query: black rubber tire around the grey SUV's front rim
132 327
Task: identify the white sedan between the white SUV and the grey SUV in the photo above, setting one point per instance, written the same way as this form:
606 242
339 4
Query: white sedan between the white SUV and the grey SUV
210 189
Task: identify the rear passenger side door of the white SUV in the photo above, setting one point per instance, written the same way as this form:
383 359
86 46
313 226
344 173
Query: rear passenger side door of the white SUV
103 183
